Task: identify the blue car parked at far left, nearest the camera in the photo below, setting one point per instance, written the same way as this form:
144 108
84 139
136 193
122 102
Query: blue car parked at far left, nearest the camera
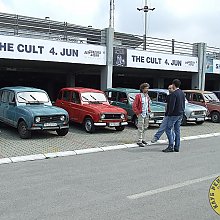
30 109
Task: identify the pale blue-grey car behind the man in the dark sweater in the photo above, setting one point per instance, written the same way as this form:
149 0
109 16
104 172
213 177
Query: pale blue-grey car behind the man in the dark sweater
192 113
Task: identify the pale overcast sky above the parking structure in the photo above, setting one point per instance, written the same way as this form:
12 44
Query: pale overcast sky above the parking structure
183 20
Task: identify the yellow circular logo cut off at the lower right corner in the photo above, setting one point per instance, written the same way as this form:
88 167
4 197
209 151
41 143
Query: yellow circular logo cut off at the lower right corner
214 195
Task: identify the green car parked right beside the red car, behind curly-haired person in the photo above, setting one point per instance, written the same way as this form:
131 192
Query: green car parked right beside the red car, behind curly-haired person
124 97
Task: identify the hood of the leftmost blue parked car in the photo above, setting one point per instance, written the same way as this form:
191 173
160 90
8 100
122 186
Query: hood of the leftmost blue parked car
44 110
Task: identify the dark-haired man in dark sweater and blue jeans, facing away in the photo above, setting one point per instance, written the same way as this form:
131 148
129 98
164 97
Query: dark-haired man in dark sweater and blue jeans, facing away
174 113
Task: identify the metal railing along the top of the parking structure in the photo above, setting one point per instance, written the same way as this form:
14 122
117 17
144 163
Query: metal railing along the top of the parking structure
11 24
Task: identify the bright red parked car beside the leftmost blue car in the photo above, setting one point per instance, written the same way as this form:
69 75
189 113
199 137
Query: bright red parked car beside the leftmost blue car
91 108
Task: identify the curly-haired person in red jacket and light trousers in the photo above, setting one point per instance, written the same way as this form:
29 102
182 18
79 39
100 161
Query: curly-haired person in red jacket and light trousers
141 107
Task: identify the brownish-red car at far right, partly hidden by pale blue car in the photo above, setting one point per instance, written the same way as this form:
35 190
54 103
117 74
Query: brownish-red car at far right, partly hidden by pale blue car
206 99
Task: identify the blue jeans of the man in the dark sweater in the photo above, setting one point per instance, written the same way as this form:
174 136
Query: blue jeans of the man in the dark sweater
173 122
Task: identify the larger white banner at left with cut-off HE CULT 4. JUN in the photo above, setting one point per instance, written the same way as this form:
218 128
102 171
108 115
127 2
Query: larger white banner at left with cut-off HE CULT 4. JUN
12 47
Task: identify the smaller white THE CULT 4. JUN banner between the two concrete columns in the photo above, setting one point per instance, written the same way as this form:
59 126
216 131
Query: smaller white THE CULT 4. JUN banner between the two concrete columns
149 60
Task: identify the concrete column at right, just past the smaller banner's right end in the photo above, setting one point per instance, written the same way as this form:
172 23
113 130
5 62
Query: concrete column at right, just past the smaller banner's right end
198 79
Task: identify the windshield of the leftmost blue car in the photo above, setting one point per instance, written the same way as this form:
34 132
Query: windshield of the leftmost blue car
32 97
